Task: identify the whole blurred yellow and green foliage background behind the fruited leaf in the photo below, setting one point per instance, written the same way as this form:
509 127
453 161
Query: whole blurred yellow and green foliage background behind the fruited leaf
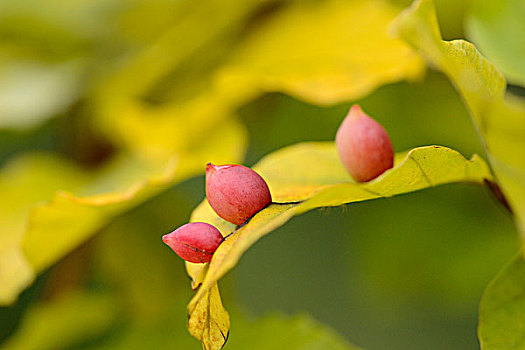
122 102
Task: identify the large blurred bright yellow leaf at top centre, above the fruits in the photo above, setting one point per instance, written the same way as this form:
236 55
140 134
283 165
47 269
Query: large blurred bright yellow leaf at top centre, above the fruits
325 51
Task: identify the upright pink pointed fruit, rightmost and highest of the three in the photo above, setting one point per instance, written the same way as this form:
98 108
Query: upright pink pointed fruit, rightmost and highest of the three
364 146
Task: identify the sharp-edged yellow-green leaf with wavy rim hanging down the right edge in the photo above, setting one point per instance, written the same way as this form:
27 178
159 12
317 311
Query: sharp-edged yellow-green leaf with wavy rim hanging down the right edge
500 117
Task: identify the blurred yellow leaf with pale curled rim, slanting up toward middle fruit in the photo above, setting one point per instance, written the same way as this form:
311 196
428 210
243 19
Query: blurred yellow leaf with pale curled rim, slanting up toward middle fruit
67 220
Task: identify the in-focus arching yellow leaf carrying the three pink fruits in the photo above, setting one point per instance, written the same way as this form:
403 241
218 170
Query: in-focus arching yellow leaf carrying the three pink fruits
312 174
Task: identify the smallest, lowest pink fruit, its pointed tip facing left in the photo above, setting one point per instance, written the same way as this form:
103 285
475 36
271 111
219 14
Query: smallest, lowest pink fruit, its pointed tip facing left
194 242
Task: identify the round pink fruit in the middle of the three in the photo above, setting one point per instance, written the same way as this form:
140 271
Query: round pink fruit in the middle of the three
235 192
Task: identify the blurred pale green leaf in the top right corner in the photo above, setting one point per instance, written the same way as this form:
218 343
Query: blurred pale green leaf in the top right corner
497 28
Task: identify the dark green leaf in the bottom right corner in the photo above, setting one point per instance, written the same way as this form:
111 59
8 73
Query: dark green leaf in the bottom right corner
502 309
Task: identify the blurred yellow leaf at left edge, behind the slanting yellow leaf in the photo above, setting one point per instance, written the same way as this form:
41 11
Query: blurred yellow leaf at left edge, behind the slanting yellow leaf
24 181
